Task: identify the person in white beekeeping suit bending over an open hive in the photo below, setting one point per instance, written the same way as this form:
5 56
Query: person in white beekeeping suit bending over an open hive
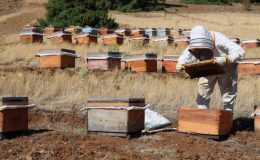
205 45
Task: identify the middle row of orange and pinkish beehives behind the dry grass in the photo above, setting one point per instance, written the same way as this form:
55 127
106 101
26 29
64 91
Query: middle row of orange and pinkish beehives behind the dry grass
65 58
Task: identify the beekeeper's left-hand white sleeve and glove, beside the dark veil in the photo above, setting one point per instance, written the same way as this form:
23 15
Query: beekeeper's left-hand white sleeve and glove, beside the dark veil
186 57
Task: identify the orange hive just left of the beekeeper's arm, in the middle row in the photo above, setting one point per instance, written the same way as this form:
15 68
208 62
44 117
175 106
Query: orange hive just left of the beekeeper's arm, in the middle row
169 63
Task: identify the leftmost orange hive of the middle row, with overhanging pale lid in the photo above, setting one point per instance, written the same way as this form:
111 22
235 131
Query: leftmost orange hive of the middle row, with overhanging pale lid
57 58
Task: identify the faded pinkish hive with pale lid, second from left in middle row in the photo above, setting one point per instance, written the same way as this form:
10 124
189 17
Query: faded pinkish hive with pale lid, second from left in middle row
104 61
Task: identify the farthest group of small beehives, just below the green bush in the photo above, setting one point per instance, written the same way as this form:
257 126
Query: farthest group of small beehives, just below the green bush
136 36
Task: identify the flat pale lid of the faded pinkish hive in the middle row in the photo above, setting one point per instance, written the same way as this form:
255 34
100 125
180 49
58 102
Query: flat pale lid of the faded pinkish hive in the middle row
103 55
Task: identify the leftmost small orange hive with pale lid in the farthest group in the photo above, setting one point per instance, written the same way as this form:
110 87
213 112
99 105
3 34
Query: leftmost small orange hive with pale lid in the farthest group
31 35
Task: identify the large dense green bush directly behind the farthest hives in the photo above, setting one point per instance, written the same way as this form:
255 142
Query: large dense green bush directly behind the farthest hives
63 13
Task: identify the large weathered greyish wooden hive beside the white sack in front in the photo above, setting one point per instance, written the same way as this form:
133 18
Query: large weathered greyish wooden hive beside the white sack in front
105 117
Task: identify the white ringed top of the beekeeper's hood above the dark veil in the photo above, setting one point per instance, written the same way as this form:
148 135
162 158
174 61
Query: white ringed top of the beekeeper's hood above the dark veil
201 38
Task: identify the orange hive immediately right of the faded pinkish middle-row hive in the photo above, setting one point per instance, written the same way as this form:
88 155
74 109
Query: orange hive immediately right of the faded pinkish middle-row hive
141 62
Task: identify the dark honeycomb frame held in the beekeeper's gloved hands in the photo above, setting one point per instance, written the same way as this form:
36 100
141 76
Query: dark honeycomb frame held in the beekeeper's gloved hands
203 68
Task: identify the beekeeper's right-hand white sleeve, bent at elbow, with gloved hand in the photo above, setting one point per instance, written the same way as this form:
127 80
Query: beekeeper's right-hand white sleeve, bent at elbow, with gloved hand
234 51
